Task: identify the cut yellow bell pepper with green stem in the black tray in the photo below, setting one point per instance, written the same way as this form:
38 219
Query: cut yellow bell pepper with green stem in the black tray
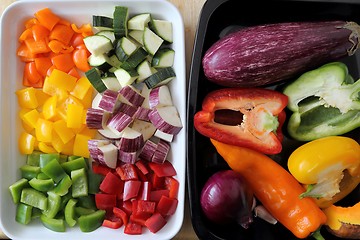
329 167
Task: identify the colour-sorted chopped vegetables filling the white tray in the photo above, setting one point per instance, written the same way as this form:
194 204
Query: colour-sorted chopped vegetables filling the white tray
98 120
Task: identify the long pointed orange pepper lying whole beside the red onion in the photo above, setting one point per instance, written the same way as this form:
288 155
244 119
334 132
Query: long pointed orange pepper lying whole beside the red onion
276 189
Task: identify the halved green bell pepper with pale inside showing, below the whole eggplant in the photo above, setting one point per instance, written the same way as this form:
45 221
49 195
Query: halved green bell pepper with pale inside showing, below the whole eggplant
324 102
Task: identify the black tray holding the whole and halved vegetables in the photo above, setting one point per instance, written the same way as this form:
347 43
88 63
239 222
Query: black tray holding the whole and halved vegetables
217 18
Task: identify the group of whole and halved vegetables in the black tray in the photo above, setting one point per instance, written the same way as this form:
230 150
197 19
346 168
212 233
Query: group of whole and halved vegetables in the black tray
245 121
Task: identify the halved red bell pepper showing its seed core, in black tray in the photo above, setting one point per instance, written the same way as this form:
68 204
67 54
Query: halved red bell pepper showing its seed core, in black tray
248 117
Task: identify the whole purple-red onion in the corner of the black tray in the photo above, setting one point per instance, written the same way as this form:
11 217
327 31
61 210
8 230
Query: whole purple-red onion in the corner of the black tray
226 198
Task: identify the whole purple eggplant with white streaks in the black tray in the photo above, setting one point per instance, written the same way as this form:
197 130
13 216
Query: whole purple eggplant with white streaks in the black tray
267 54
